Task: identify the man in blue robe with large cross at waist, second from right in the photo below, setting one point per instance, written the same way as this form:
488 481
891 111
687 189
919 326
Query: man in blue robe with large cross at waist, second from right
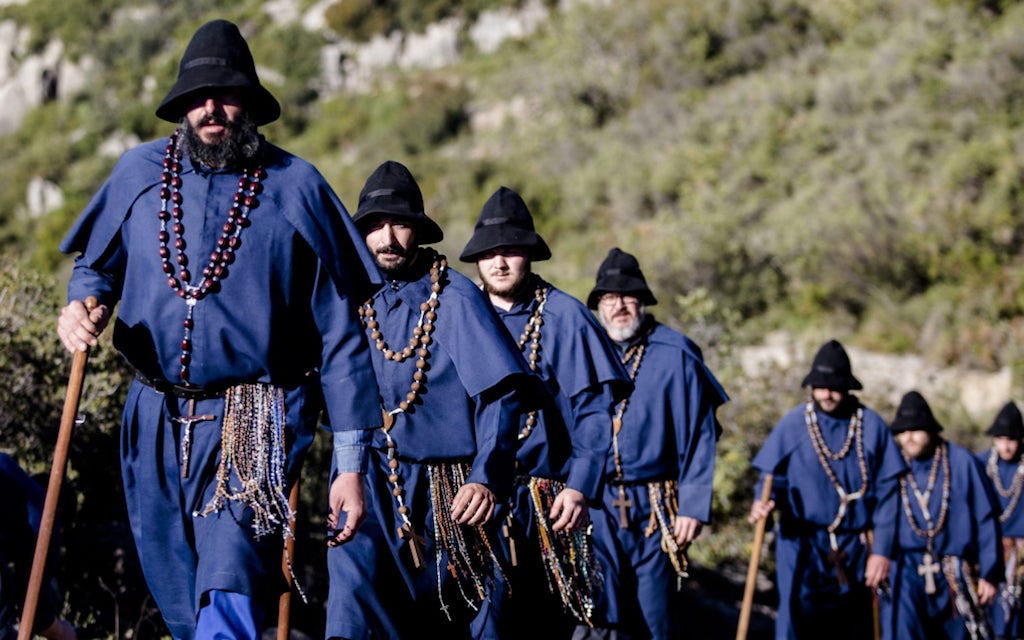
949 559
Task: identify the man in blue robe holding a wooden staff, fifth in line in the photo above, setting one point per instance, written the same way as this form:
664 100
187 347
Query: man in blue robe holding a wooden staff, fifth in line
835 468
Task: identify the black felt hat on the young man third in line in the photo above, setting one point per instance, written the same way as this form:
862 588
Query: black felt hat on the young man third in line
505 222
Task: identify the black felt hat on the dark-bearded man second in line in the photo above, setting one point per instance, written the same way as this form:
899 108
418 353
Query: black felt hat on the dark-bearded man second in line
392 191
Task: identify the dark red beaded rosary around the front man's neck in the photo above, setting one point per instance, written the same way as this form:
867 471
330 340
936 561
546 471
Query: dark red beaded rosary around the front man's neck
179 278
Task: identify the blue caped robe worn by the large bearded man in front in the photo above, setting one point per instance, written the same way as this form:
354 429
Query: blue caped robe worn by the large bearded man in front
285 316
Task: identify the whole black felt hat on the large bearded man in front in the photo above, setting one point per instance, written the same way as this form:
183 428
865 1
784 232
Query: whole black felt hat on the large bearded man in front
219 58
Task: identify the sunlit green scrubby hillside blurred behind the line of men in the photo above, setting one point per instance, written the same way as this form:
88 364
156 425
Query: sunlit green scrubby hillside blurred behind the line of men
850 168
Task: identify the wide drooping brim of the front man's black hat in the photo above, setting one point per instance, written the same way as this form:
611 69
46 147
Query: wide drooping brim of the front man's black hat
261 104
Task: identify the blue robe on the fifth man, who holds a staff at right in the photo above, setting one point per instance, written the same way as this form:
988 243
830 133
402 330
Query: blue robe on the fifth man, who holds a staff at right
813 604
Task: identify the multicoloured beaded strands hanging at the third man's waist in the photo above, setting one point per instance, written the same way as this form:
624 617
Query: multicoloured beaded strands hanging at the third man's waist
573 570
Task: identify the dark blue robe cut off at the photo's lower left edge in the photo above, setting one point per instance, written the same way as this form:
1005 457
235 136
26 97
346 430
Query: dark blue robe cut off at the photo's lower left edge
22 501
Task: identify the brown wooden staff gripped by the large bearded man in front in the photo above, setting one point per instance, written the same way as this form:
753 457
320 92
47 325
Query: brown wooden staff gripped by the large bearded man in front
58 471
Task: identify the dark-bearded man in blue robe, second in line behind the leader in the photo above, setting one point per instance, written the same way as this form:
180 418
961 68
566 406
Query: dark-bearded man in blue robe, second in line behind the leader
454 389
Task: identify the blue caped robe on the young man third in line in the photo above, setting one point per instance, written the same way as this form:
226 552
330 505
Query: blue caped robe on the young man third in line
584 376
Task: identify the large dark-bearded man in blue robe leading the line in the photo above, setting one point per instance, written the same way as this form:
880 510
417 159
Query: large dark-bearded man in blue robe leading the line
238 273
